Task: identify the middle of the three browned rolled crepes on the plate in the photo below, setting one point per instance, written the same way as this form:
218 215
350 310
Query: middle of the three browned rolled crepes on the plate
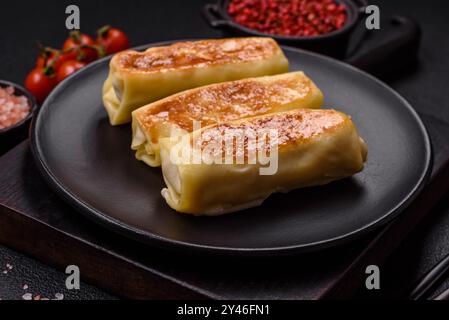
212 104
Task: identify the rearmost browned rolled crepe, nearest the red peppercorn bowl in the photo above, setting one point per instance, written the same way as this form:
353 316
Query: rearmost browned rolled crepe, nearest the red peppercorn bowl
139 78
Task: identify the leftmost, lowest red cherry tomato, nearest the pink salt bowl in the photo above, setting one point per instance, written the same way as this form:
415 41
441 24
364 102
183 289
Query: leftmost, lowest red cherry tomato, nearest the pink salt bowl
40 83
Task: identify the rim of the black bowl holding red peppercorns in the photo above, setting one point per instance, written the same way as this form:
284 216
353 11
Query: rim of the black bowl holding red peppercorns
353 10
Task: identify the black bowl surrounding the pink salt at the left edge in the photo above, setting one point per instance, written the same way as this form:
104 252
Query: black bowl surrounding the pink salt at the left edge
11 136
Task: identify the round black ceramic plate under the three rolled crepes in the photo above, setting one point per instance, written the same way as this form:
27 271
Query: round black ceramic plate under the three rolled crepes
90 164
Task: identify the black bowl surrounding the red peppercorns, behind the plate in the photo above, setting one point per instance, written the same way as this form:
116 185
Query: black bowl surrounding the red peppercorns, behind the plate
333 43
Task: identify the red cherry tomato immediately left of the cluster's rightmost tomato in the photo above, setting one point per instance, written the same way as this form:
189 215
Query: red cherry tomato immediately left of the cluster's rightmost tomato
75 47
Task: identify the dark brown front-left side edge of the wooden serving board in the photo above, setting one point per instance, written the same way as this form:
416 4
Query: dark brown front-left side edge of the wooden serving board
98 266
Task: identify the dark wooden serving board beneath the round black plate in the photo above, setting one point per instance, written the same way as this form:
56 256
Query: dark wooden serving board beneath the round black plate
35 221
